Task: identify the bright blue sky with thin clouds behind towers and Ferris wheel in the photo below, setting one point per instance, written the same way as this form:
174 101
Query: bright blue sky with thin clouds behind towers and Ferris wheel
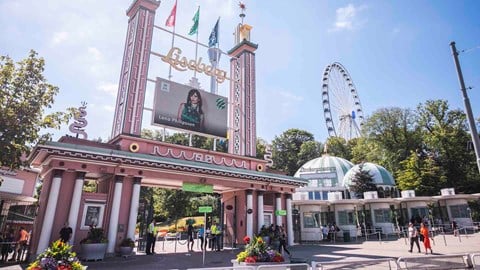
397 52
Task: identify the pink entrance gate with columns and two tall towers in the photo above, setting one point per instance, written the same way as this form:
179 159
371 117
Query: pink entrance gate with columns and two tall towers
126 162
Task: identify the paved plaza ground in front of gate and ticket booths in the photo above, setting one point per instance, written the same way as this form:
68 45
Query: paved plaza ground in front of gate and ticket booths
167 258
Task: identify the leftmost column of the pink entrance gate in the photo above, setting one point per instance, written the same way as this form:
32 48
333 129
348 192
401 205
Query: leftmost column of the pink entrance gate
49 217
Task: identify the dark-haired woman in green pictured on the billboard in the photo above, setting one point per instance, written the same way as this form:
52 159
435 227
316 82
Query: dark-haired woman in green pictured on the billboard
191 113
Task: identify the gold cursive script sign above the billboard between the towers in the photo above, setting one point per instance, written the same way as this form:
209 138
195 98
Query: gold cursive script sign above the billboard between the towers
182 63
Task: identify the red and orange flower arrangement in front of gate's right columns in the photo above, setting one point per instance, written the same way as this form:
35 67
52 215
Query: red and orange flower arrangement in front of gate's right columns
256 250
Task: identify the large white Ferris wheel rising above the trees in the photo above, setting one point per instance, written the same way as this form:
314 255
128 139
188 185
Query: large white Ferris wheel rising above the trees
341 104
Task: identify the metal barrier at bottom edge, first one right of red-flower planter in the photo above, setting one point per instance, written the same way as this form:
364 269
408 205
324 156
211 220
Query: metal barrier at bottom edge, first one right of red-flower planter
387 263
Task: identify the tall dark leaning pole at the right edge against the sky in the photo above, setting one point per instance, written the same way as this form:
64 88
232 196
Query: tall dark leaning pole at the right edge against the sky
468 108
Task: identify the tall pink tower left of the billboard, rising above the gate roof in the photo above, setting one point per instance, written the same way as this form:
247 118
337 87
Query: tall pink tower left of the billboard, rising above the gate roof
133 75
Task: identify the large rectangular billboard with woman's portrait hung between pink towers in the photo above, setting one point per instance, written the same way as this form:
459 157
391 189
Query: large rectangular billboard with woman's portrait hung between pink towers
183 107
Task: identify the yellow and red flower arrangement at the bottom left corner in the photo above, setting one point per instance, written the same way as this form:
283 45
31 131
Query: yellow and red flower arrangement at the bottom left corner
57 257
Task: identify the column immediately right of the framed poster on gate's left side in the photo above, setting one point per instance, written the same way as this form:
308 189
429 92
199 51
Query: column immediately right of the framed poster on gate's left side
113 225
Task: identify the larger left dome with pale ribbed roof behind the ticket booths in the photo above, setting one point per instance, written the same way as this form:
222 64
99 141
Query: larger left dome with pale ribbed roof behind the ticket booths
325 166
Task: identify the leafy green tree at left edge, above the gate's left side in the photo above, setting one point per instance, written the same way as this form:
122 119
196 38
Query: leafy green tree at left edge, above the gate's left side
25 94
